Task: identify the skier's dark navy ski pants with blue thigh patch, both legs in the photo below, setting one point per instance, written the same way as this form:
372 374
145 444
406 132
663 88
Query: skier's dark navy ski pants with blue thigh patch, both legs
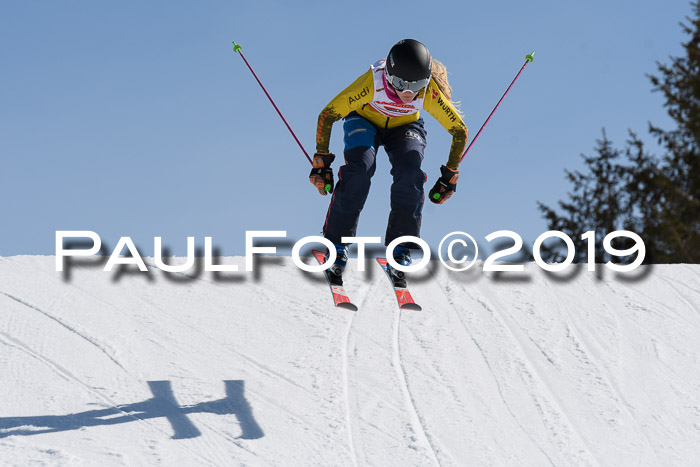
405 146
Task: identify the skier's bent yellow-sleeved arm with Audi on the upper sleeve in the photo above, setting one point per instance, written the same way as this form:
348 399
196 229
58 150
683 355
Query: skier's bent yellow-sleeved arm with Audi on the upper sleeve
351 98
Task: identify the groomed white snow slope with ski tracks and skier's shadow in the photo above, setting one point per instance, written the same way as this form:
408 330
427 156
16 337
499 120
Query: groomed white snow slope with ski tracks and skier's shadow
132 368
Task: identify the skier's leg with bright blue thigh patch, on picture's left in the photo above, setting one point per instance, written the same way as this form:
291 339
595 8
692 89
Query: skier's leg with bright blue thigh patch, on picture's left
354 179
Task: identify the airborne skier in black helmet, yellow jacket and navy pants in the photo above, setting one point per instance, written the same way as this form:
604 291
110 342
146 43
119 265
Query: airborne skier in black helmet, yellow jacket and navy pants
382 108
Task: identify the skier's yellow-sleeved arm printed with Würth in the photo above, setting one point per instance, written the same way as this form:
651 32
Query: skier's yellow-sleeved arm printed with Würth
437 105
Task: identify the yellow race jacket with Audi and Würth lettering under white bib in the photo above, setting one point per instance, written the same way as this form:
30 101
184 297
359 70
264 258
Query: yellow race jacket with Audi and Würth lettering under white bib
358 96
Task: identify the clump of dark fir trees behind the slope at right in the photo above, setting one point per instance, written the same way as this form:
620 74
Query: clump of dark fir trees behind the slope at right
658 198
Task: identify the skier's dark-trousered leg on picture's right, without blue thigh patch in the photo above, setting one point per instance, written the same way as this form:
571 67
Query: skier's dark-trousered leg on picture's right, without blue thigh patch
405 146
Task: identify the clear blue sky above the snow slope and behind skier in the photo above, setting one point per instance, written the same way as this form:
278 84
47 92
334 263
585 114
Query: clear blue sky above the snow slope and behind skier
137 119
